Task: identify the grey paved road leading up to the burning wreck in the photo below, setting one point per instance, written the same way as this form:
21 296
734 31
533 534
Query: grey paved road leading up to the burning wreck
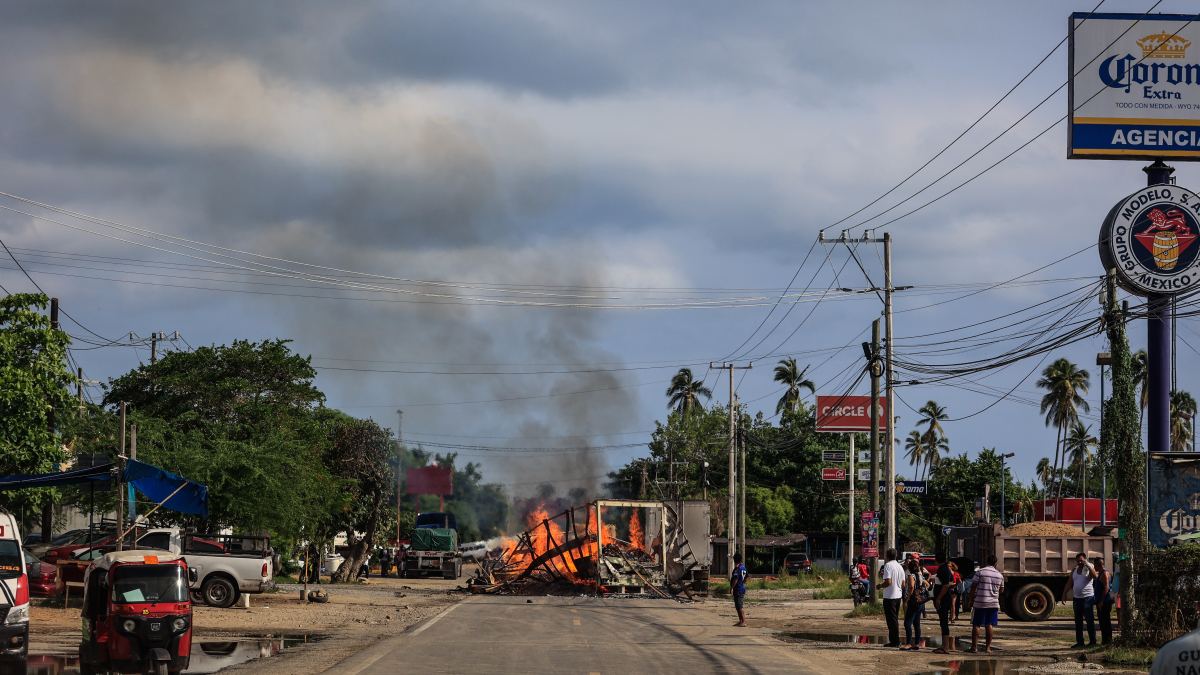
577 636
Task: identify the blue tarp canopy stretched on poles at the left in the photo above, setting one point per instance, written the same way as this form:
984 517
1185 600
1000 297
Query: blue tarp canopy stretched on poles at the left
153 482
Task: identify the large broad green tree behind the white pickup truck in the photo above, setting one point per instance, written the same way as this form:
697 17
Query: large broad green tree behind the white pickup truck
244 421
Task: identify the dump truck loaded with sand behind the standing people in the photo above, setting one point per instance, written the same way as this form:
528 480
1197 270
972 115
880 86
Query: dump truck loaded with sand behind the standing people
1037 570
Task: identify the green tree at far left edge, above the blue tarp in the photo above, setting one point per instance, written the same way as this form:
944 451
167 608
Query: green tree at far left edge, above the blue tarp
34 379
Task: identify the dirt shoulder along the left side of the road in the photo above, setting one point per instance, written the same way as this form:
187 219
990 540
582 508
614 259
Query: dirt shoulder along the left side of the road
355 618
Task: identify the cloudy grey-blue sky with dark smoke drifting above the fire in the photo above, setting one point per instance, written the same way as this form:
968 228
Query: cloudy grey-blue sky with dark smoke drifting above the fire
548 145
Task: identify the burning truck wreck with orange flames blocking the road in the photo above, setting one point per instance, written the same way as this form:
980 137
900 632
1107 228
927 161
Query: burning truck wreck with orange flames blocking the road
627 547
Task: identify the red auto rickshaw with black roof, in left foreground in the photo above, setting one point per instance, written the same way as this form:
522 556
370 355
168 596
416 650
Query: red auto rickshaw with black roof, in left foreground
137 614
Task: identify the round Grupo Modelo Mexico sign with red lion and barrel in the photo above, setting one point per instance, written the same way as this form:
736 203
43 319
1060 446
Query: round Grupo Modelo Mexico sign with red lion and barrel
1150 237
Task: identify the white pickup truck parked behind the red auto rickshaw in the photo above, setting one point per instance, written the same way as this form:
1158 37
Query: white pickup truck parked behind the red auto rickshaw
225 568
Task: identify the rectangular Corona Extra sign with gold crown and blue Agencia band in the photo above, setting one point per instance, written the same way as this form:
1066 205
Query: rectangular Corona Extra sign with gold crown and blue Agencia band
1135 87
